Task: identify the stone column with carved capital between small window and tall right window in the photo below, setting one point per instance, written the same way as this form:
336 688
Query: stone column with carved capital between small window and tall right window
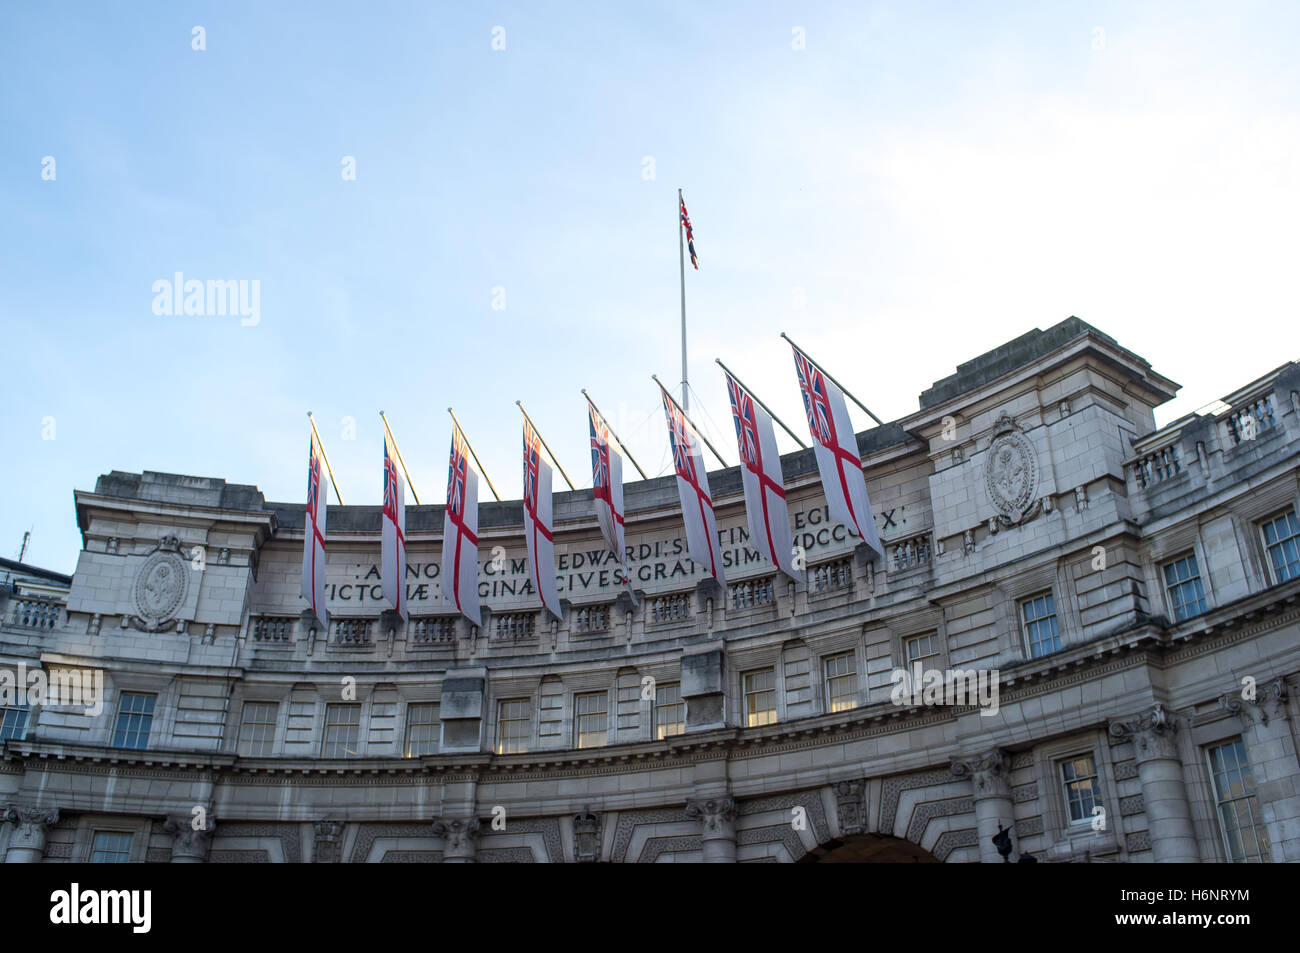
1160 772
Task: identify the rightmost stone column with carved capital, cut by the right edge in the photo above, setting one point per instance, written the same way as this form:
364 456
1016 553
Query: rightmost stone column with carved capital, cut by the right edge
1272 751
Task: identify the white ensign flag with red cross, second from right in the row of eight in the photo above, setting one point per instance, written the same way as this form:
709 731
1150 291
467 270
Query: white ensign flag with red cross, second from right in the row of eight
761 474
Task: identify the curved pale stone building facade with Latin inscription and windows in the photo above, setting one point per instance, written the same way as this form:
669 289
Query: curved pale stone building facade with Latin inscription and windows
1134 590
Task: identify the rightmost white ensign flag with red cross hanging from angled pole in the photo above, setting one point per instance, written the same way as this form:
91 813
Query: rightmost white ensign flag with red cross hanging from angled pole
837 448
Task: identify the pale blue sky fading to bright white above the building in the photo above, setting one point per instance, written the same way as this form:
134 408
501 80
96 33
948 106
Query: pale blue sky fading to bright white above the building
918 185
